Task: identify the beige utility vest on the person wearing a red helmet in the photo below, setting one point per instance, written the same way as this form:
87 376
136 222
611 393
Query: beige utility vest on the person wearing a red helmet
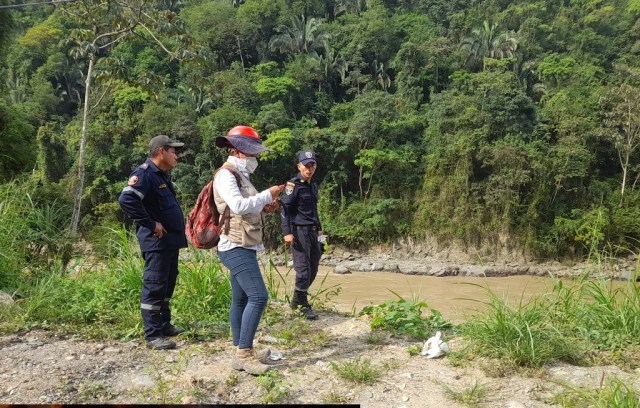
245 230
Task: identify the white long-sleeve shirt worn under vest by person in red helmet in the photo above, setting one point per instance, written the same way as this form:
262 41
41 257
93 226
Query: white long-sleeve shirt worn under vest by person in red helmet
227 187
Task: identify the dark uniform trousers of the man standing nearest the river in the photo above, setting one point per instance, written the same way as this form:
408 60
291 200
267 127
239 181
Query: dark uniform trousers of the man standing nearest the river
306 253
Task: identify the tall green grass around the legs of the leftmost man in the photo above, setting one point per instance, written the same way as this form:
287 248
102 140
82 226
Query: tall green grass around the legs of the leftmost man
104 301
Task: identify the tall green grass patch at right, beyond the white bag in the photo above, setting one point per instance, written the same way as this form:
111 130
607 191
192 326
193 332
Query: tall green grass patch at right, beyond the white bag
576 317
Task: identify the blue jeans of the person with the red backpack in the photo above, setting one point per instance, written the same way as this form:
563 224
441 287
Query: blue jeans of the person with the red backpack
249 294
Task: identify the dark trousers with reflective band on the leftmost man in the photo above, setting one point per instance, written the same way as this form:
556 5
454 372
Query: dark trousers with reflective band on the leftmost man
158 284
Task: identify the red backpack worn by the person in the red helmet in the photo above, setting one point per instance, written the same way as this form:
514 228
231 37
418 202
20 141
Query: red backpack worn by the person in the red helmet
204 223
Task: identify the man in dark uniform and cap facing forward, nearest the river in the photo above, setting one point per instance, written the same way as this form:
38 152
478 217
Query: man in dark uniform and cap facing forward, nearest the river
301 228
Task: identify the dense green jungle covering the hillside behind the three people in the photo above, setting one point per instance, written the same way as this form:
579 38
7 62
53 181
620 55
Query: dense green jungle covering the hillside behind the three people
488 123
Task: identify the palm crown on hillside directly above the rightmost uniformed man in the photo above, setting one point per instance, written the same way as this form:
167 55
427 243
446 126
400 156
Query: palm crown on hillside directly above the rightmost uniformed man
303 37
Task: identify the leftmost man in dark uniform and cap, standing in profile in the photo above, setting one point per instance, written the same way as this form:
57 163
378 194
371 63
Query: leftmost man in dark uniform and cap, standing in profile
149 199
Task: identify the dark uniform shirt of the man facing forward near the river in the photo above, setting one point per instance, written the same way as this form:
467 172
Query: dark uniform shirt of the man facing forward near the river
299 204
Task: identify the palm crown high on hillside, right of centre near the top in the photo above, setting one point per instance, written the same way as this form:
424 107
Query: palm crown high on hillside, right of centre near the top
486 42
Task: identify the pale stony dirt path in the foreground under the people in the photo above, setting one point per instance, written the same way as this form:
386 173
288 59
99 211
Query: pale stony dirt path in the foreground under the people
37 368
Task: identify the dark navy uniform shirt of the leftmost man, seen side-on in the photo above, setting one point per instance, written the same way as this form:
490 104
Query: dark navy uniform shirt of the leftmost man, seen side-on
149 197
